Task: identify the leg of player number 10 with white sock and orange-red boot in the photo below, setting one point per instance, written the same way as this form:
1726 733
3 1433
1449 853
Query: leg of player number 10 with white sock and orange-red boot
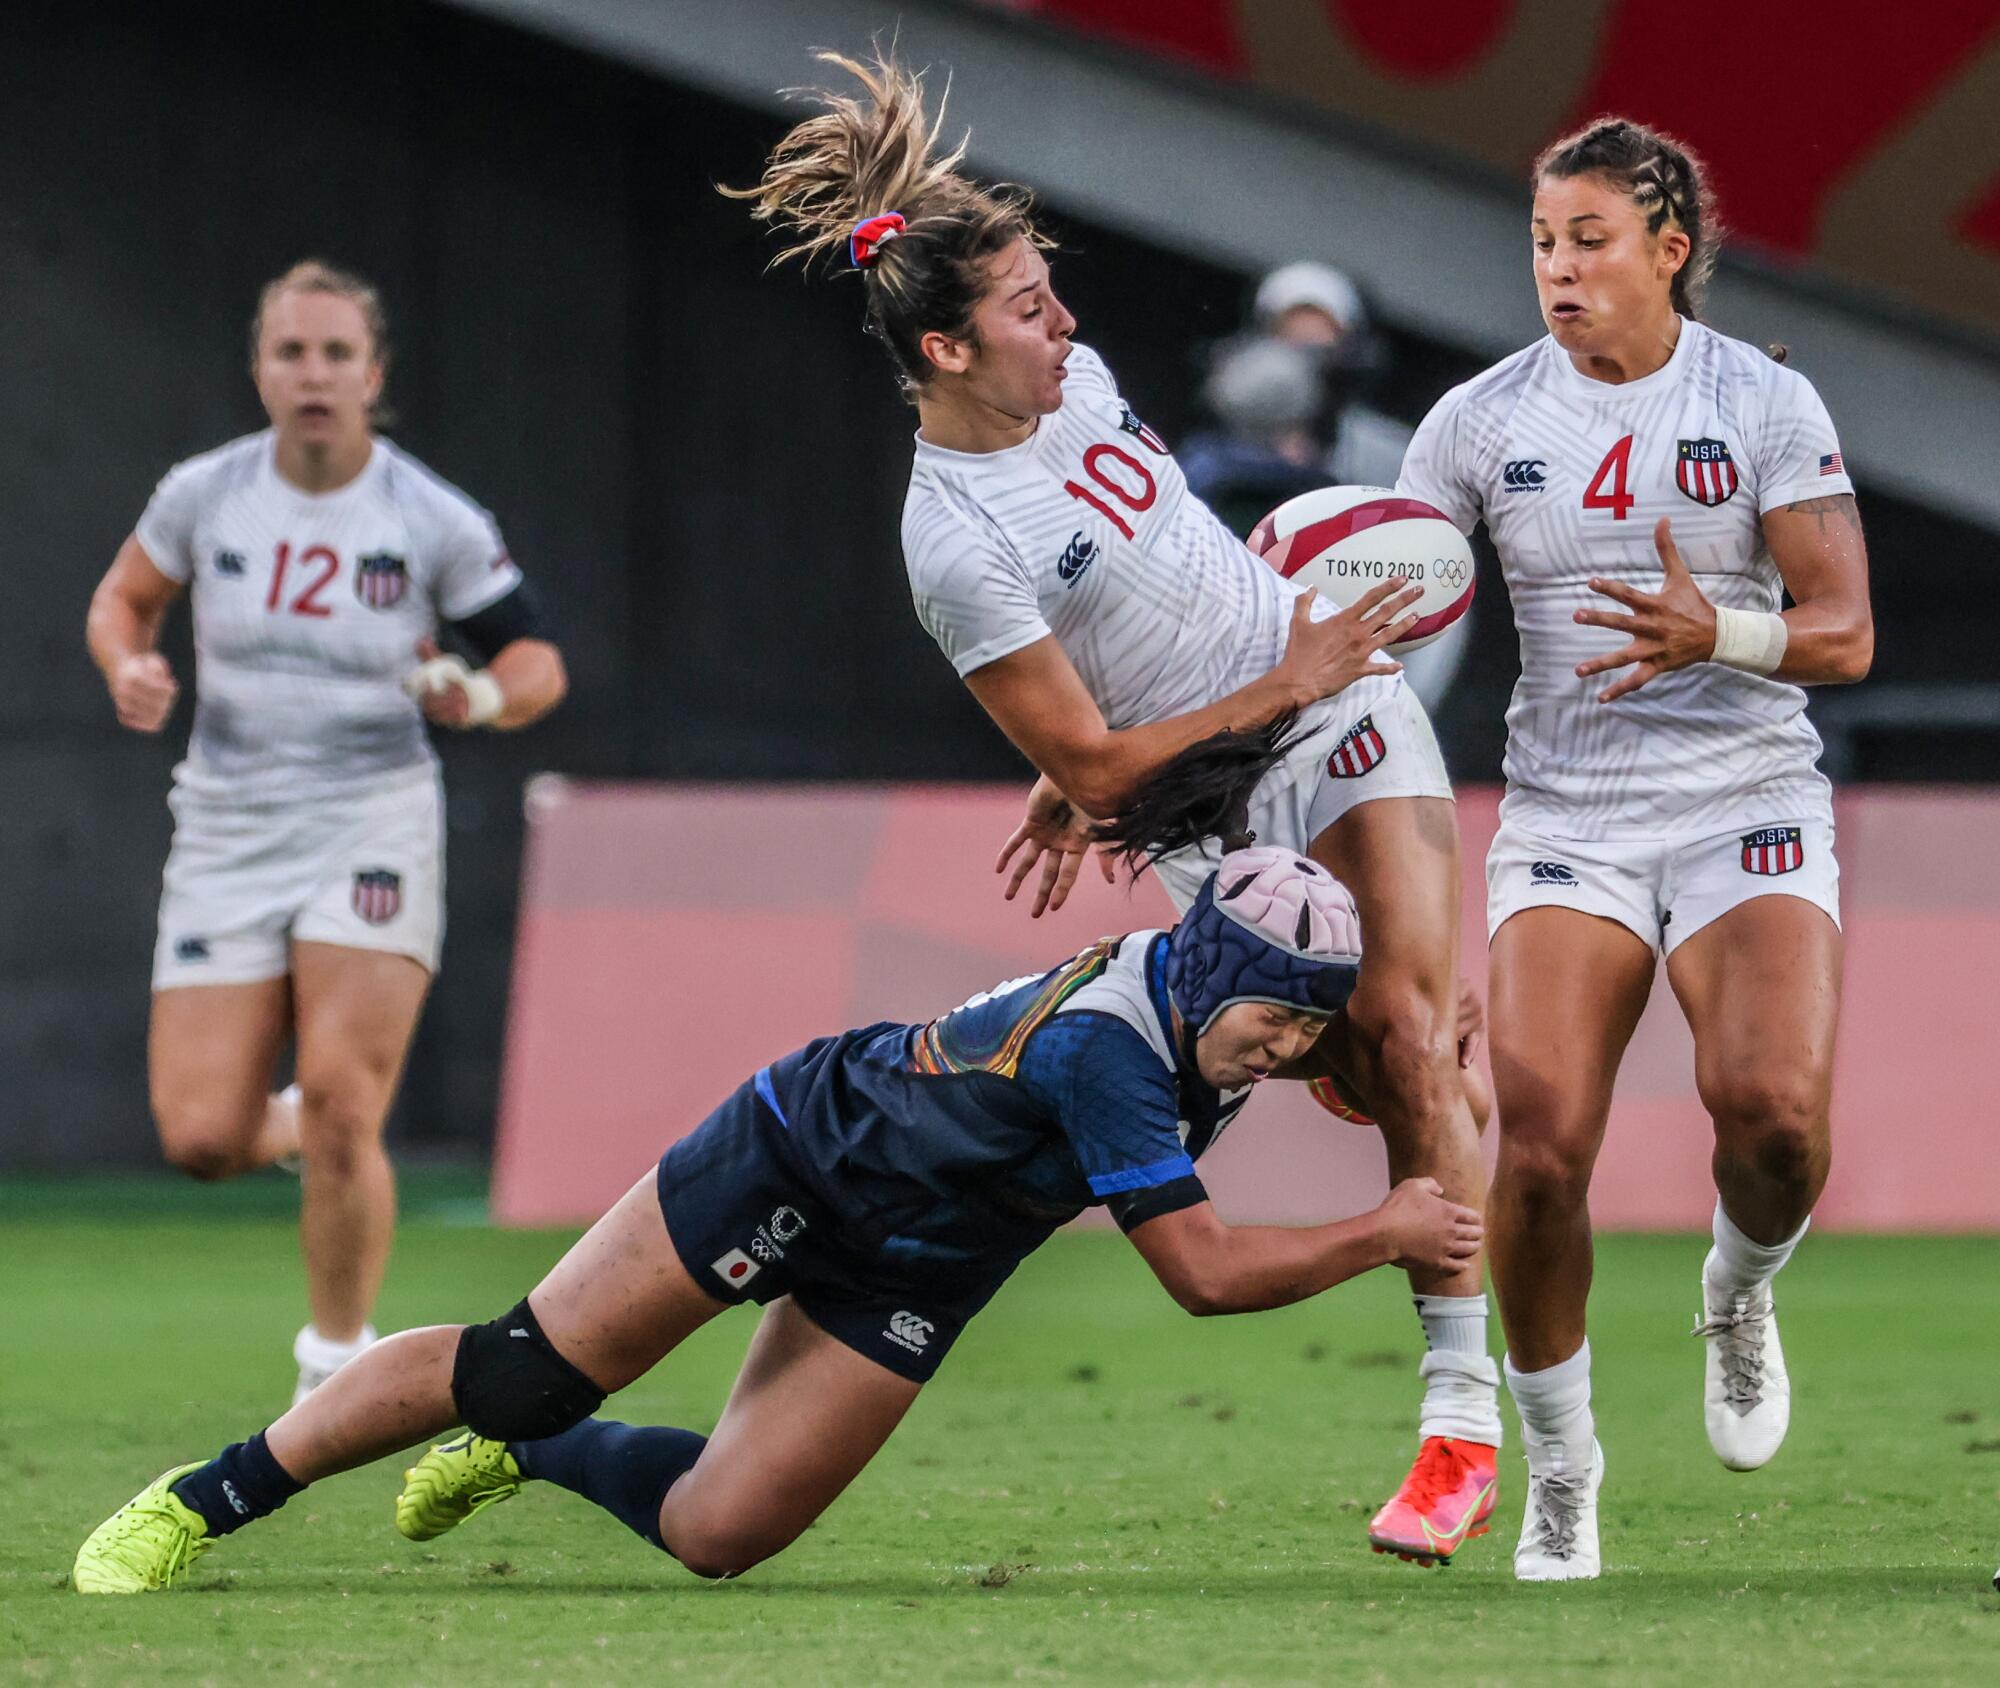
1399 857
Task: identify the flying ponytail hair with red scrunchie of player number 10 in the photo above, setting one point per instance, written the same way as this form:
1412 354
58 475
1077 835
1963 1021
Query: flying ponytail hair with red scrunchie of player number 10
871 179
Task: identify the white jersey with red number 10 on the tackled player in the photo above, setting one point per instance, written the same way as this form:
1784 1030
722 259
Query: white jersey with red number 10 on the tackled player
1087 531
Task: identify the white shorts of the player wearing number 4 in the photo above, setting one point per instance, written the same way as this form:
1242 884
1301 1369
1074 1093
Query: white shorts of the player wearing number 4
1669 891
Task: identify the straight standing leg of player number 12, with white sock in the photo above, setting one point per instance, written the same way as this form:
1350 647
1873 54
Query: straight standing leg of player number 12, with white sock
357 1013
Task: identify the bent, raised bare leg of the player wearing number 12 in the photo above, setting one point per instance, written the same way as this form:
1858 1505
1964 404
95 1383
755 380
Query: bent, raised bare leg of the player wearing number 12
209 1059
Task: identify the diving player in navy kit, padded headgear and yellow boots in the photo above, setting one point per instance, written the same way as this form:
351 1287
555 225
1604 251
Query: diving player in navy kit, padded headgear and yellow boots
871 1191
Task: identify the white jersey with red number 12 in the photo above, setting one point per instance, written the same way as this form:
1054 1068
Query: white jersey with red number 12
309 611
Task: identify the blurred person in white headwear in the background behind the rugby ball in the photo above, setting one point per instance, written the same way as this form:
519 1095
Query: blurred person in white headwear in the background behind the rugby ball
1291 405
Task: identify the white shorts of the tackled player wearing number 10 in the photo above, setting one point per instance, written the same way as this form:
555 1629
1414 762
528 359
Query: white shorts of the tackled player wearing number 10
1379 749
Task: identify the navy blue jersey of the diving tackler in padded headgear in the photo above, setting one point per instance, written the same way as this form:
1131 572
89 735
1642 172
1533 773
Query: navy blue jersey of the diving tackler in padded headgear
983 1131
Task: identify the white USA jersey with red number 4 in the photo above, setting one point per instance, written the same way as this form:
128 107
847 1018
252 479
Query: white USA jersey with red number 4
1571 477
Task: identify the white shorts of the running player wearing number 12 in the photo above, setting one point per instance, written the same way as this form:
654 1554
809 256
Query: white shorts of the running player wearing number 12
243 883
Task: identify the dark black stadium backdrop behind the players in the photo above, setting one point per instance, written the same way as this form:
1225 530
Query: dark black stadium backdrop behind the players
699 463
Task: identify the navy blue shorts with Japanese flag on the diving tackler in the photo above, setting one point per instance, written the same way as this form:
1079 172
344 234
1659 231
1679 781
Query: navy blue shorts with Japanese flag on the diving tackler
751 1229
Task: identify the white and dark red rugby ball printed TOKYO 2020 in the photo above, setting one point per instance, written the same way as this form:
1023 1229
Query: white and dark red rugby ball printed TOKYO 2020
1347 539
